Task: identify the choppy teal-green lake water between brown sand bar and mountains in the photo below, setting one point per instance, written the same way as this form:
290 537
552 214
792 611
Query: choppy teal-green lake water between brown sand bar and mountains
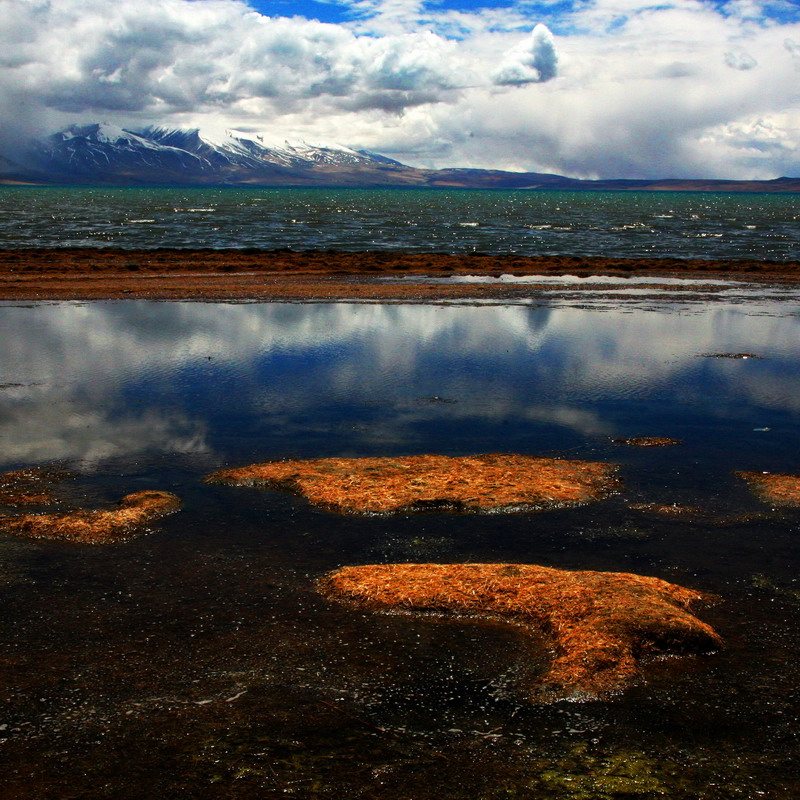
686 225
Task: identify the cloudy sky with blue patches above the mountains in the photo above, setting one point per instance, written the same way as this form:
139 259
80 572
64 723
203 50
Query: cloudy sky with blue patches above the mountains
585 88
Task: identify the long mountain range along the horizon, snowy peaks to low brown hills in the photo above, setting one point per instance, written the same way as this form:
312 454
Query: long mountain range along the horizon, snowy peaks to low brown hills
107 155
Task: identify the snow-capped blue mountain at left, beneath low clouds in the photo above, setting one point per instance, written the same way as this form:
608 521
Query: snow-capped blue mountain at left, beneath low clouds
108 153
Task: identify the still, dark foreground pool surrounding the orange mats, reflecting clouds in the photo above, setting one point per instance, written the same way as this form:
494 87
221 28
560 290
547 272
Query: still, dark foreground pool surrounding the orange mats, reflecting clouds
198 661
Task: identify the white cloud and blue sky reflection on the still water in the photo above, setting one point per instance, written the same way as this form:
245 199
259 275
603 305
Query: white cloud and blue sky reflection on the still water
89 382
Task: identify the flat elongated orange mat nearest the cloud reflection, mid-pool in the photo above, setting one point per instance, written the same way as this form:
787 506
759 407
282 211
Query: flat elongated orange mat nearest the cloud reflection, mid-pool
494 482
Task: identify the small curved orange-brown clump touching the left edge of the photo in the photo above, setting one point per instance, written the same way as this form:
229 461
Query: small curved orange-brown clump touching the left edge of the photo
95 526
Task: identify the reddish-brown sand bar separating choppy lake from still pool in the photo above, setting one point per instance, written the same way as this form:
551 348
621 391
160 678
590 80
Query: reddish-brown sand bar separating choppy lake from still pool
96 273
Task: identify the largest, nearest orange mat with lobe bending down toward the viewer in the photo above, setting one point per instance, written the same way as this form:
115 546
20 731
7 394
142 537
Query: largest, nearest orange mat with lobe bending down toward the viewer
600 624
